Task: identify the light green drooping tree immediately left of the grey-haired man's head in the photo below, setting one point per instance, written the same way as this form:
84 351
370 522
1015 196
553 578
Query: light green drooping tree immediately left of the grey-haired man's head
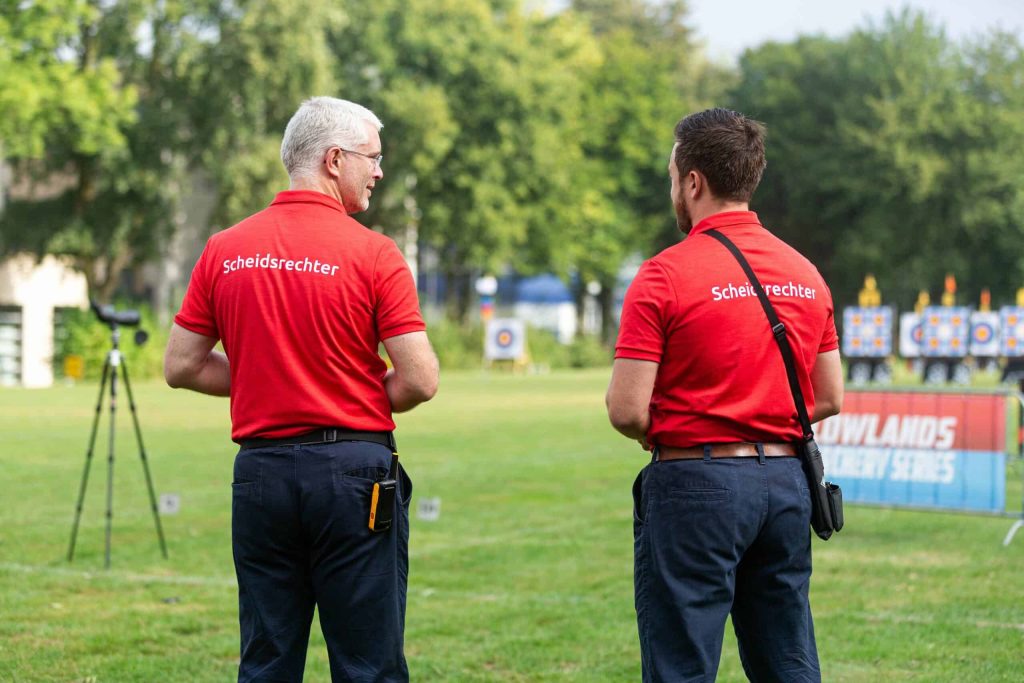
269 57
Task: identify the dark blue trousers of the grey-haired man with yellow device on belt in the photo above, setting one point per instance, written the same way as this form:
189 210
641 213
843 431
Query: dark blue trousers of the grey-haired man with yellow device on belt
301 538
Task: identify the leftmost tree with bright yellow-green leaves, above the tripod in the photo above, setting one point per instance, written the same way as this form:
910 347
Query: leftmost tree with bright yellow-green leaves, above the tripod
103 170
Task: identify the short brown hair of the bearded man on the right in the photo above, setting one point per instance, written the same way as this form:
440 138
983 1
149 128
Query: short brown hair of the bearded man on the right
727 148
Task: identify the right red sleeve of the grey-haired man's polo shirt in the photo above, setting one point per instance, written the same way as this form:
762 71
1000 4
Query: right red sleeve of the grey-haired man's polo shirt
398 307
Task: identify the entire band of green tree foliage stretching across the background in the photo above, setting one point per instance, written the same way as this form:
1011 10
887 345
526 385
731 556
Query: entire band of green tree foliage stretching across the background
511 137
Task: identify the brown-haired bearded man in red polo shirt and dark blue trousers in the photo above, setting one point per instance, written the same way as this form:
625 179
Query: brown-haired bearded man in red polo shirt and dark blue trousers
722 514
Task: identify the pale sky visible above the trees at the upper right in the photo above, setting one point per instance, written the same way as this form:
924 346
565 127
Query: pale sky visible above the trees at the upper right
729 28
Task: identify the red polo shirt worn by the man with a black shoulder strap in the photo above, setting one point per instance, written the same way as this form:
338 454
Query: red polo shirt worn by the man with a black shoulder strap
692 310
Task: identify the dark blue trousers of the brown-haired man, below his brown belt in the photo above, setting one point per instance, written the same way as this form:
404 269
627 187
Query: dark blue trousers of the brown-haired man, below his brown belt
720 537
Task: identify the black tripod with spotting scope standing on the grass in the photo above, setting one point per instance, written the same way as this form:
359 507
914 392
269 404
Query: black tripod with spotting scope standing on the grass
114 361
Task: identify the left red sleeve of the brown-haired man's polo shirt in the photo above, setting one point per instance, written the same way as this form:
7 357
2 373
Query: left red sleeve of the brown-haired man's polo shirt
646 315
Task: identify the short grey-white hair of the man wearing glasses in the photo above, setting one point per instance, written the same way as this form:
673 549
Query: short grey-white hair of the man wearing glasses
320 124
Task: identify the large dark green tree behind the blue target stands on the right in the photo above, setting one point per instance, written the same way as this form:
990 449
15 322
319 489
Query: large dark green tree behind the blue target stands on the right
894 152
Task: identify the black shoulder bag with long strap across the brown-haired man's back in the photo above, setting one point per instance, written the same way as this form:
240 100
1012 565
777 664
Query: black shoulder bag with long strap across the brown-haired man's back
827 498
